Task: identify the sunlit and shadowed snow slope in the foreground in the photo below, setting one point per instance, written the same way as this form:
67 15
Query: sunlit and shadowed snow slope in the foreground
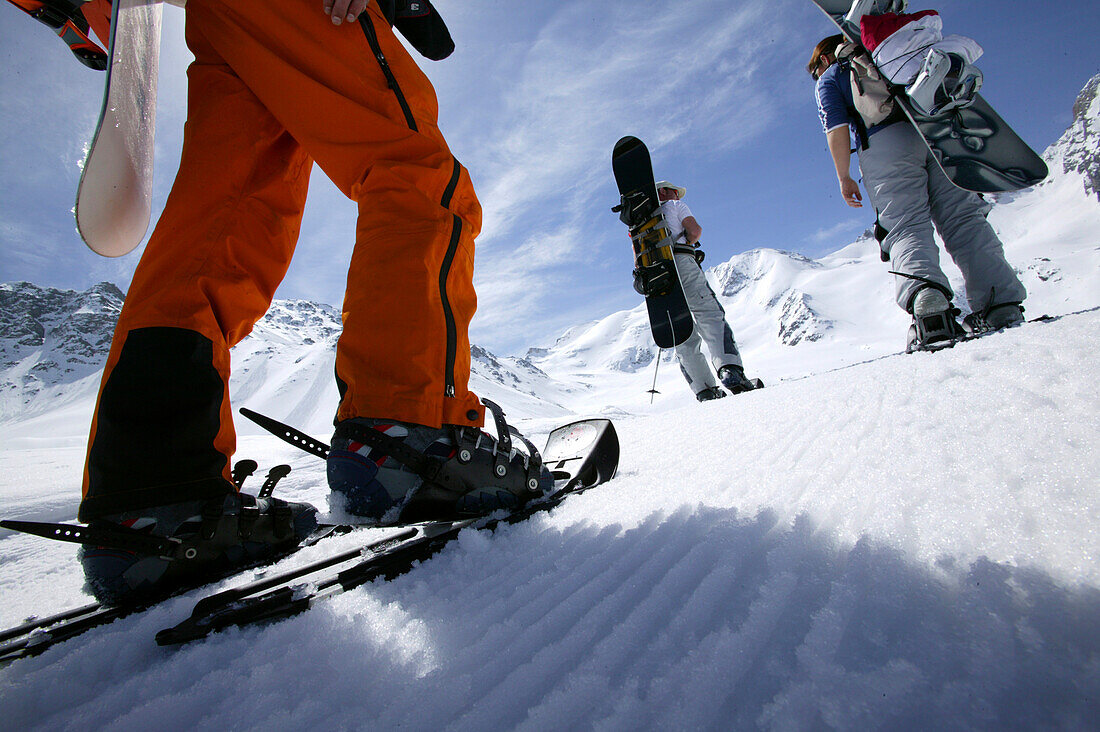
905 544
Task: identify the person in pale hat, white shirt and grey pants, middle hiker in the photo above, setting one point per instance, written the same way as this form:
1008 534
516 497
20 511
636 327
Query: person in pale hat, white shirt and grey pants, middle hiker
711 327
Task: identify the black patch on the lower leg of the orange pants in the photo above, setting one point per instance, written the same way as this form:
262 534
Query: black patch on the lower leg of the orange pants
158 419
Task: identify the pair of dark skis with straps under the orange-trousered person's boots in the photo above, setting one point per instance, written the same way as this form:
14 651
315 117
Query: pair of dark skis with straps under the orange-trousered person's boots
580 455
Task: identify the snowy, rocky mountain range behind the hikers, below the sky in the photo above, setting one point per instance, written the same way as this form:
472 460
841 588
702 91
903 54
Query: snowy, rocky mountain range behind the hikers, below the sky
791 315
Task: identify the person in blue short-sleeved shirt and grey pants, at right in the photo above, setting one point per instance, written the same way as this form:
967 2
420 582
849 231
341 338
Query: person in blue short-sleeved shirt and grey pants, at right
911 194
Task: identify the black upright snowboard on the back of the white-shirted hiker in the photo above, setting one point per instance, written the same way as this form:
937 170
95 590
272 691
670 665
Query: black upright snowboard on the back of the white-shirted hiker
655 274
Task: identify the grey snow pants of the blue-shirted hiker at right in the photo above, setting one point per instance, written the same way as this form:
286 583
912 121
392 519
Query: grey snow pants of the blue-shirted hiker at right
910 192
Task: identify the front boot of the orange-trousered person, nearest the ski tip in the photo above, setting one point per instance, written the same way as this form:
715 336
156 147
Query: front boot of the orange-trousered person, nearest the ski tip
400 473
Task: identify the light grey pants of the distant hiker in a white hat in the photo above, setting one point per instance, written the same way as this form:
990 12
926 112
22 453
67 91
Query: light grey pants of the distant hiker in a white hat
711 329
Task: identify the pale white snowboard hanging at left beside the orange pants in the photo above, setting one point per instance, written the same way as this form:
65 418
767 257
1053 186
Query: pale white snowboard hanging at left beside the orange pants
114 200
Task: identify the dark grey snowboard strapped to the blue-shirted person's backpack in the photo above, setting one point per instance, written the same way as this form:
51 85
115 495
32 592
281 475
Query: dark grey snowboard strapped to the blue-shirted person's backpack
976 149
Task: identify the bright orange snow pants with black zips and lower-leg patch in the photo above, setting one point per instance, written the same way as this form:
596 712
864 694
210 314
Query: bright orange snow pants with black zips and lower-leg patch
273 89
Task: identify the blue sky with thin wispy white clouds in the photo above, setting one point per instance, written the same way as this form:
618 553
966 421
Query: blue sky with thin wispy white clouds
533 102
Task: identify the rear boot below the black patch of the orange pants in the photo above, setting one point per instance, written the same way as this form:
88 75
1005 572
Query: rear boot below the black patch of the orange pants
200 542
